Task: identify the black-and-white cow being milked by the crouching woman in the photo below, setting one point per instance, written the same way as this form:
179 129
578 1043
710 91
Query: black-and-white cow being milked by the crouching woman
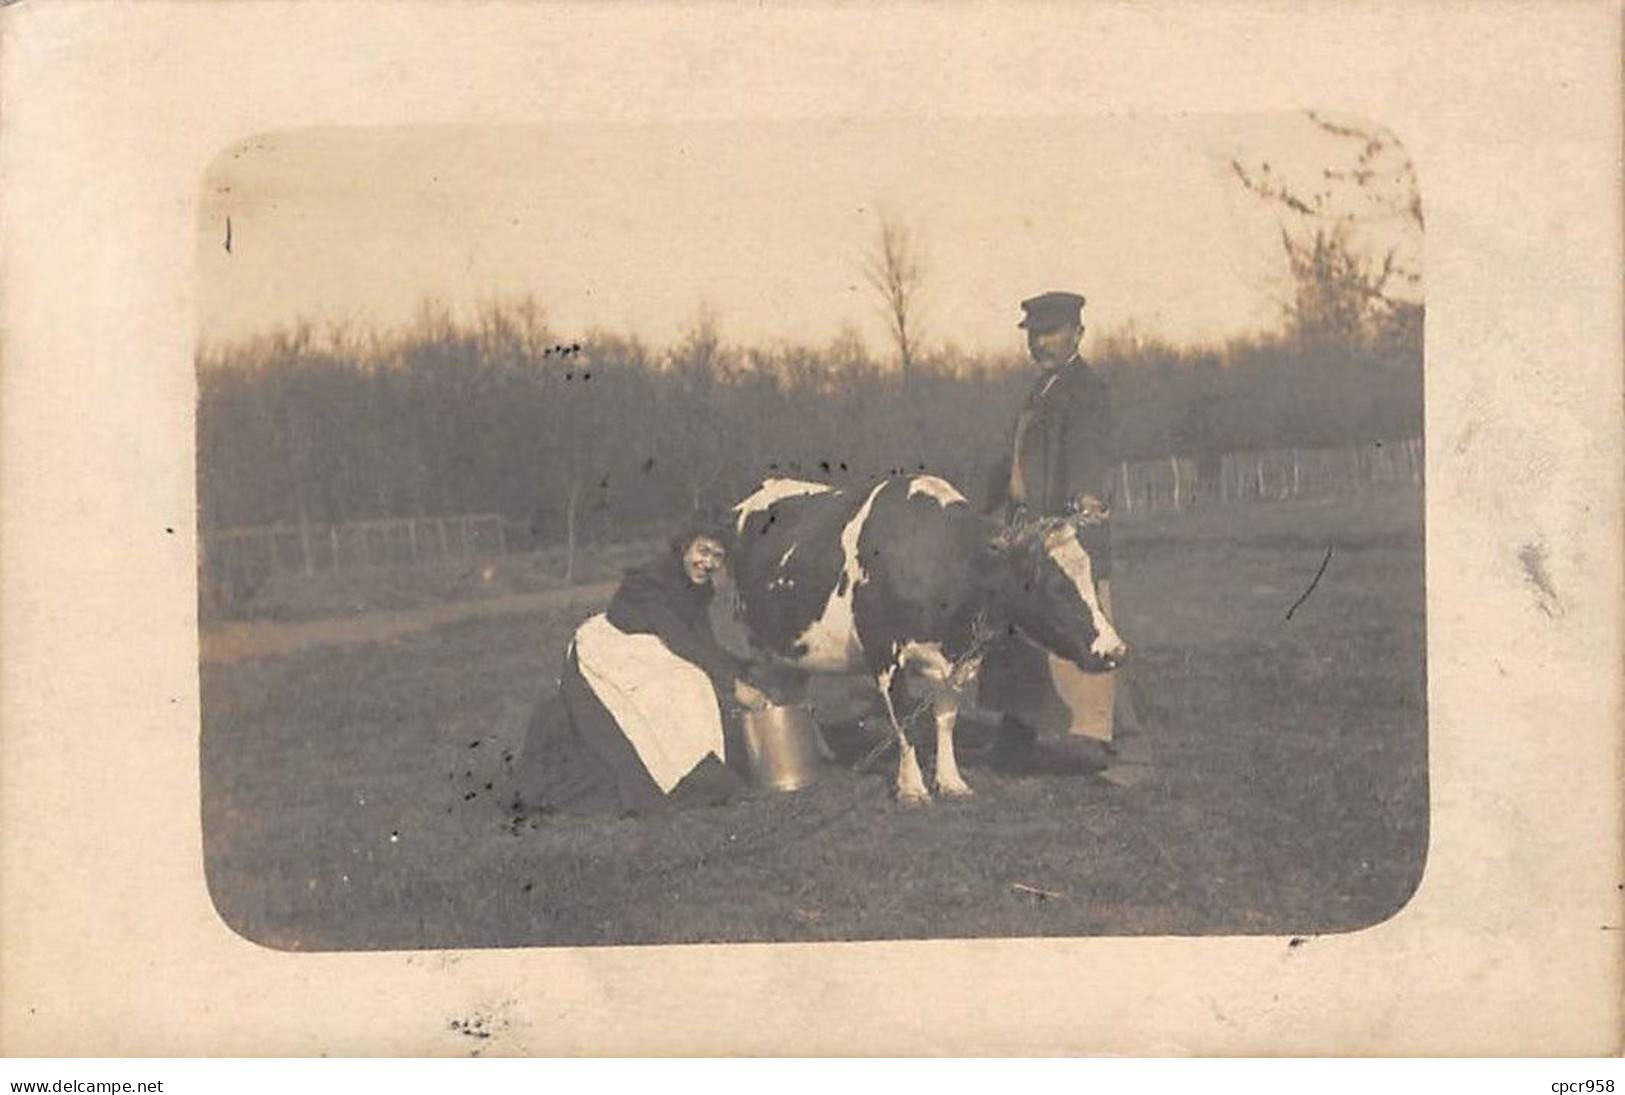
904 581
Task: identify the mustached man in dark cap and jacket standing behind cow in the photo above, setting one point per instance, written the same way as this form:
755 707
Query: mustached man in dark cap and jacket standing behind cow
1057 717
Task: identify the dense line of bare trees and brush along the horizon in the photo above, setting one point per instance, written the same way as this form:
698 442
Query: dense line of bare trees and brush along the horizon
602 436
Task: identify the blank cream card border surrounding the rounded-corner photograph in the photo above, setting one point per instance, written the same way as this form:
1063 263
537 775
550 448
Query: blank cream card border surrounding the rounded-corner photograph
108 940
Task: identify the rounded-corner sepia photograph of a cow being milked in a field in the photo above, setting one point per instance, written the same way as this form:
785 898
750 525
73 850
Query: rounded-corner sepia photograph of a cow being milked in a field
812 532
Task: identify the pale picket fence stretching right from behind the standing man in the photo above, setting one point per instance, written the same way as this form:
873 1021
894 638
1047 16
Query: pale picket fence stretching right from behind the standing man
1276 474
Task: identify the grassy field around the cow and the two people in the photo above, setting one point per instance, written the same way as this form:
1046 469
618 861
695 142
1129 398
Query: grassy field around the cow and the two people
353 797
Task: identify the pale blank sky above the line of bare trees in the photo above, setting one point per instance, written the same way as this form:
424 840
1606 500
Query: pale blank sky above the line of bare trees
633 230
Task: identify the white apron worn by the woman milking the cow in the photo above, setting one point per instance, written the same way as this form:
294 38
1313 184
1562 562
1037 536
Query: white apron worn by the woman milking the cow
665 706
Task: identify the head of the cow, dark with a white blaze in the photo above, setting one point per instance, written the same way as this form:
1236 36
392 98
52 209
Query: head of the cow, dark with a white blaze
1047 589
